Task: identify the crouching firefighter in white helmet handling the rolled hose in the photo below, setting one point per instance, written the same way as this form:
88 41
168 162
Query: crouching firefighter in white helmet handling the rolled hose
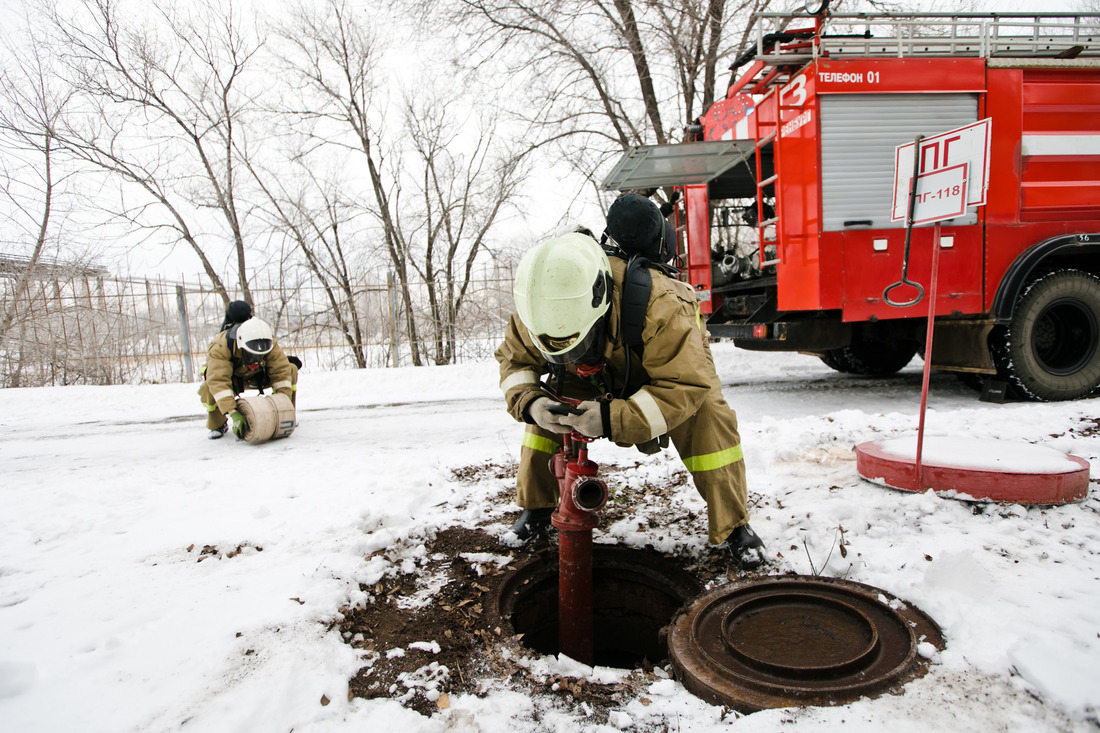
245 355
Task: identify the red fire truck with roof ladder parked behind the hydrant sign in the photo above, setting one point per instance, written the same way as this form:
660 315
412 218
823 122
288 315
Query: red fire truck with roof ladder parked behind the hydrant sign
786 196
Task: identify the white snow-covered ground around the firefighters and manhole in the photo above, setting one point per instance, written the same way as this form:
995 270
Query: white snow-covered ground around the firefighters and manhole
109 622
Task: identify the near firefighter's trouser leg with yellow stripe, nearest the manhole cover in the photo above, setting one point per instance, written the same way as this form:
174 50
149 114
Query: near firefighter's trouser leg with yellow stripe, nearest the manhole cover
711 448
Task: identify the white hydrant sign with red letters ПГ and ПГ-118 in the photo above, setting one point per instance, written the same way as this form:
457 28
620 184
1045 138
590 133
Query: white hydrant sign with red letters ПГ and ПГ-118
953 174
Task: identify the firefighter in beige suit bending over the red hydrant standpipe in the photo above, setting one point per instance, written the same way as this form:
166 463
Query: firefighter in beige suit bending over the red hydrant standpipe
568 300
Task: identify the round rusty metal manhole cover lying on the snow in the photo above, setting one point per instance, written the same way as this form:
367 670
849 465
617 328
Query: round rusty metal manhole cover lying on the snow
798 641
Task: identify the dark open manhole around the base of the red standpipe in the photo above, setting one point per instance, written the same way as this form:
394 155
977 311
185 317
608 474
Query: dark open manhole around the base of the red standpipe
635 594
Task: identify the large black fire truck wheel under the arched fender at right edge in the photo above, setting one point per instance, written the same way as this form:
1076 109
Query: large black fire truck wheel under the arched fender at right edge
1051 349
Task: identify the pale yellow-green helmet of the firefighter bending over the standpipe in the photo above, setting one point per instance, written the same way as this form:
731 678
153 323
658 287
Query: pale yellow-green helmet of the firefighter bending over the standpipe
563 290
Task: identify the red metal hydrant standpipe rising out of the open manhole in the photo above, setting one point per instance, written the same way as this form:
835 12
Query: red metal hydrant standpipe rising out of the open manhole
582 496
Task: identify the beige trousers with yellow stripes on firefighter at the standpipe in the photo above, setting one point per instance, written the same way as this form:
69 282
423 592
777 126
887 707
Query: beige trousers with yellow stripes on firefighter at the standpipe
708 444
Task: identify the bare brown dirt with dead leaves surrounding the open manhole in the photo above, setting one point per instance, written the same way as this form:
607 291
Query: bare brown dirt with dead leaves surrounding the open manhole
476 646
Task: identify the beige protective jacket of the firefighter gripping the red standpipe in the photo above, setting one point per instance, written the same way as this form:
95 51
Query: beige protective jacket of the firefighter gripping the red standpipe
668 386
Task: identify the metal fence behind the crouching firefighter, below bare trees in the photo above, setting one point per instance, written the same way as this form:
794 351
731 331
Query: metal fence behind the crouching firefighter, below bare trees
95 330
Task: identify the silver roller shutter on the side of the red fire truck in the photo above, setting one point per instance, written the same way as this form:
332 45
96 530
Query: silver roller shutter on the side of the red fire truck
859 137
